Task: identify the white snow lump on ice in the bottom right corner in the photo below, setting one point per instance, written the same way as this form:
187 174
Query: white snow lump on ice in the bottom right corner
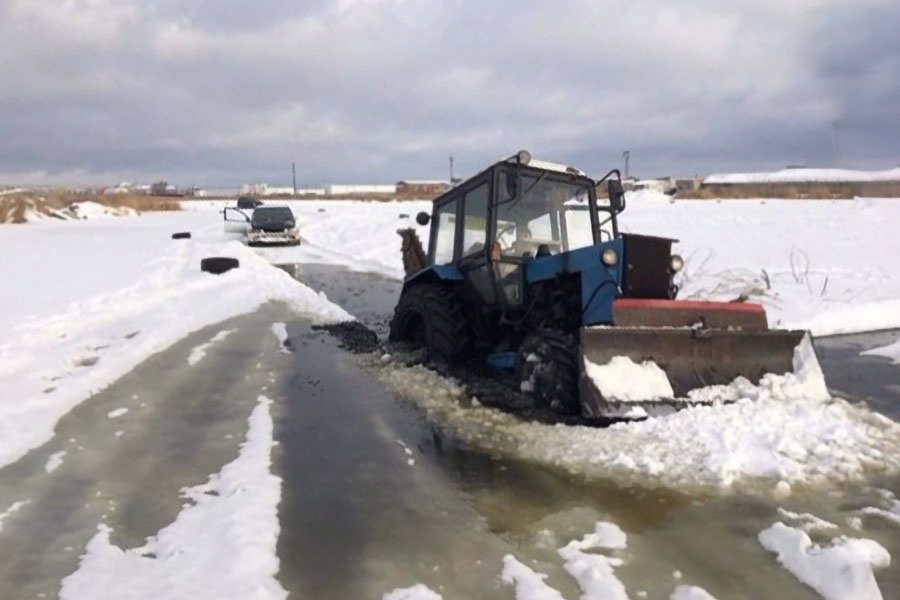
842 571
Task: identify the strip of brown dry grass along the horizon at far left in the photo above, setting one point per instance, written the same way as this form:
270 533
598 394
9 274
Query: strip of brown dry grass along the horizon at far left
14 207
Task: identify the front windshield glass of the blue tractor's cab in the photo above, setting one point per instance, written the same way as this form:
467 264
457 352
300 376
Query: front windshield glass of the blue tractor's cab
550 215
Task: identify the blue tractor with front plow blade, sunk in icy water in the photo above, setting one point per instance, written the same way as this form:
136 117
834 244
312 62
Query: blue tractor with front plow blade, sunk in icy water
526 268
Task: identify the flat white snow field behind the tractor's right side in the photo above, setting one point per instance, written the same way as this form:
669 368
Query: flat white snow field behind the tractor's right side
826 266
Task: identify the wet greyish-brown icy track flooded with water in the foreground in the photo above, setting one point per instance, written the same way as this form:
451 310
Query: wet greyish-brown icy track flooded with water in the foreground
374 497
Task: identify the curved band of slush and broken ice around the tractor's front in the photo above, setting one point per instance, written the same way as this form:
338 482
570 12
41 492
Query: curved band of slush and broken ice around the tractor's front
787 429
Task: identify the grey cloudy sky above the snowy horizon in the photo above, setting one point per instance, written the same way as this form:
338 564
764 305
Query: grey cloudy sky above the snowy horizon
221 92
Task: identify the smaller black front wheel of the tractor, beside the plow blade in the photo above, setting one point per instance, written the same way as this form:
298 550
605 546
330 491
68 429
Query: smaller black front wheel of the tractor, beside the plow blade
547 370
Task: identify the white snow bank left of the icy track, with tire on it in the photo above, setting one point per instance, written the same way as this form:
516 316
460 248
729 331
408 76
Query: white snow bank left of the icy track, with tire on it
147 293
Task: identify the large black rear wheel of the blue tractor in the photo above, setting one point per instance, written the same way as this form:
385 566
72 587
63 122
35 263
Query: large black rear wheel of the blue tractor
431 315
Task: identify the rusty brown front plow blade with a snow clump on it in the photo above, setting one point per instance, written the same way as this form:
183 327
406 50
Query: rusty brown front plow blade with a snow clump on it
668 362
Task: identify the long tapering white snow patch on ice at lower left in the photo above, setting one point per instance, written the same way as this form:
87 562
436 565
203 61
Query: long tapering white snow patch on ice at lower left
223 546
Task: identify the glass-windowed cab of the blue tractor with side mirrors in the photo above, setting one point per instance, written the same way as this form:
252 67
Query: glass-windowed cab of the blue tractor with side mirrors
517 212
